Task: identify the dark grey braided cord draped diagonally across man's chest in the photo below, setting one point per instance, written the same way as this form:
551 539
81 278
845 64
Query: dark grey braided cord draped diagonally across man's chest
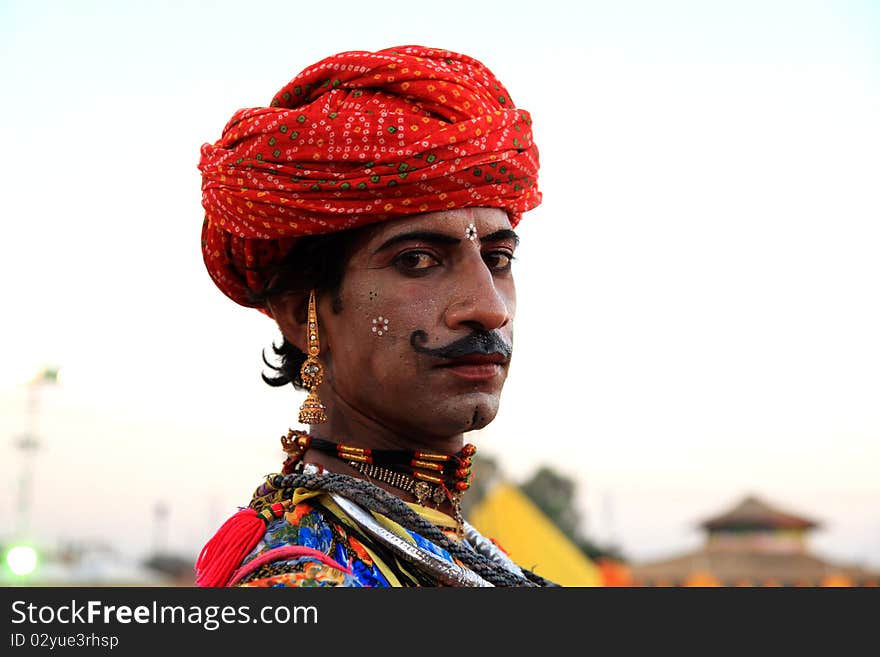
380 501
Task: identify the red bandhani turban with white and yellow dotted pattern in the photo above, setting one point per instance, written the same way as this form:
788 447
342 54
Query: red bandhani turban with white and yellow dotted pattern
357 138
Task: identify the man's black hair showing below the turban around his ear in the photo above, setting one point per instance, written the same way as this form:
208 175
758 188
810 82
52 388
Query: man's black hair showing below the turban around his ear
316 262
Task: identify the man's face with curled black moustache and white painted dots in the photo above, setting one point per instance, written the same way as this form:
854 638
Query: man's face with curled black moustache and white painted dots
422 343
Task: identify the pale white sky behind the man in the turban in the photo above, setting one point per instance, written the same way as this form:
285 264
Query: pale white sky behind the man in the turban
697 294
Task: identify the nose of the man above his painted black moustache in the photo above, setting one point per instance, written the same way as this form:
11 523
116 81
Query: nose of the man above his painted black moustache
478 302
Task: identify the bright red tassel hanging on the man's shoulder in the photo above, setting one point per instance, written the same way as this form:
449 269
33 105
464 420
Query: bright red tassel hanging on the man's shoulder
223 554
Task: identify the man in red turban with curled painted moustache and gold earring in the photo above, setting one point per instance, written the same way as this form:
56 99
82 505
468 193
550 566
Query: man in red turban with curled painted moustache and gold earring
369 210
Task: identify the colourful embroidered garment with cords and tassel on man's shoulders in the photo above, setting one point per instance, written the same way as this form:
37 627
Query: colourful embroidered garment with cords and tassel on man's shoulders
299 530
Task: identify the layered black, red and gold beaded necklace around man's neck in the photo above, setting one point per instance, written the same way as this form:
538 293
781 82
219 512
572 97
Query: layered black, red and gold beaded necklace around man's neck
431 477
